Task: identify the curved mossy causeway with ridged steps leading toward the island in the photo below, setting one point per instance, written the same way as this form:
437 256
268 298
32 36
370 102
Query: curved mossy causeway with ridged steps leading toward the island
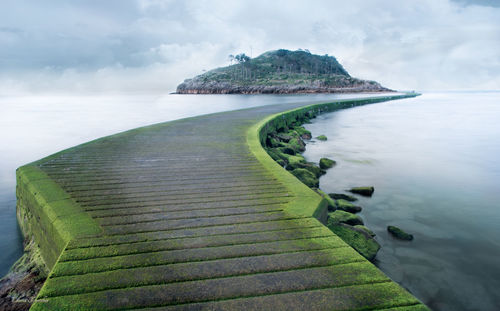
192 215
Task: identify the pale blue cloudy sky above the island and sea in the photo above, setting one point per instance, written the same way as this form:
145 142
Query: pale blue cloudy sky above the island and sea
149 46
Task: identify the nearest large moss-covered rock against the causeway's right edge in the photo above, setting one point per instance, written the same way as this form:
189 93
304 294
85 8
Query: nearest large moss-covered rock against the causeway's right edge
358 239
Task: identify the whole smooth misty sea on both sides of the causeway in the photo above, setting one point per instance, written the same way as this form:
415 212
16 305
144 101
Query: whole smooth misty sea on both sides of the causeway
433 161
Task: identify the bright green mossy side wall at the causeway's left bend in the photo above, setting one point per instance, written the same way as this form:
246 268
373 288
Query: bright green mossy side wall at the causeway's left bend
48 215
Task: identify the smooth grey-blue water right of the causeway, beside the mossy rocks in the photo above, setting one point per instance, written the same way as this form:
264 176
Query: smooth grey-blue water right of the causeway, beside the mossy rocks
434 163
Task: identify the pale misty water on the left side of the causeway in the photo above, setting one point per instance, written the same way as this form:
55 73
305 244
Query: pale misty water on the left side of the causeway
34 127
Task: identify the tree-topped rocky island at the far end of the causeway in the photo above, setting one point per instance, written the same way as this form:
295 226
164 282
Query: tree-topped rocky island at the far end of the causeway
279 72
